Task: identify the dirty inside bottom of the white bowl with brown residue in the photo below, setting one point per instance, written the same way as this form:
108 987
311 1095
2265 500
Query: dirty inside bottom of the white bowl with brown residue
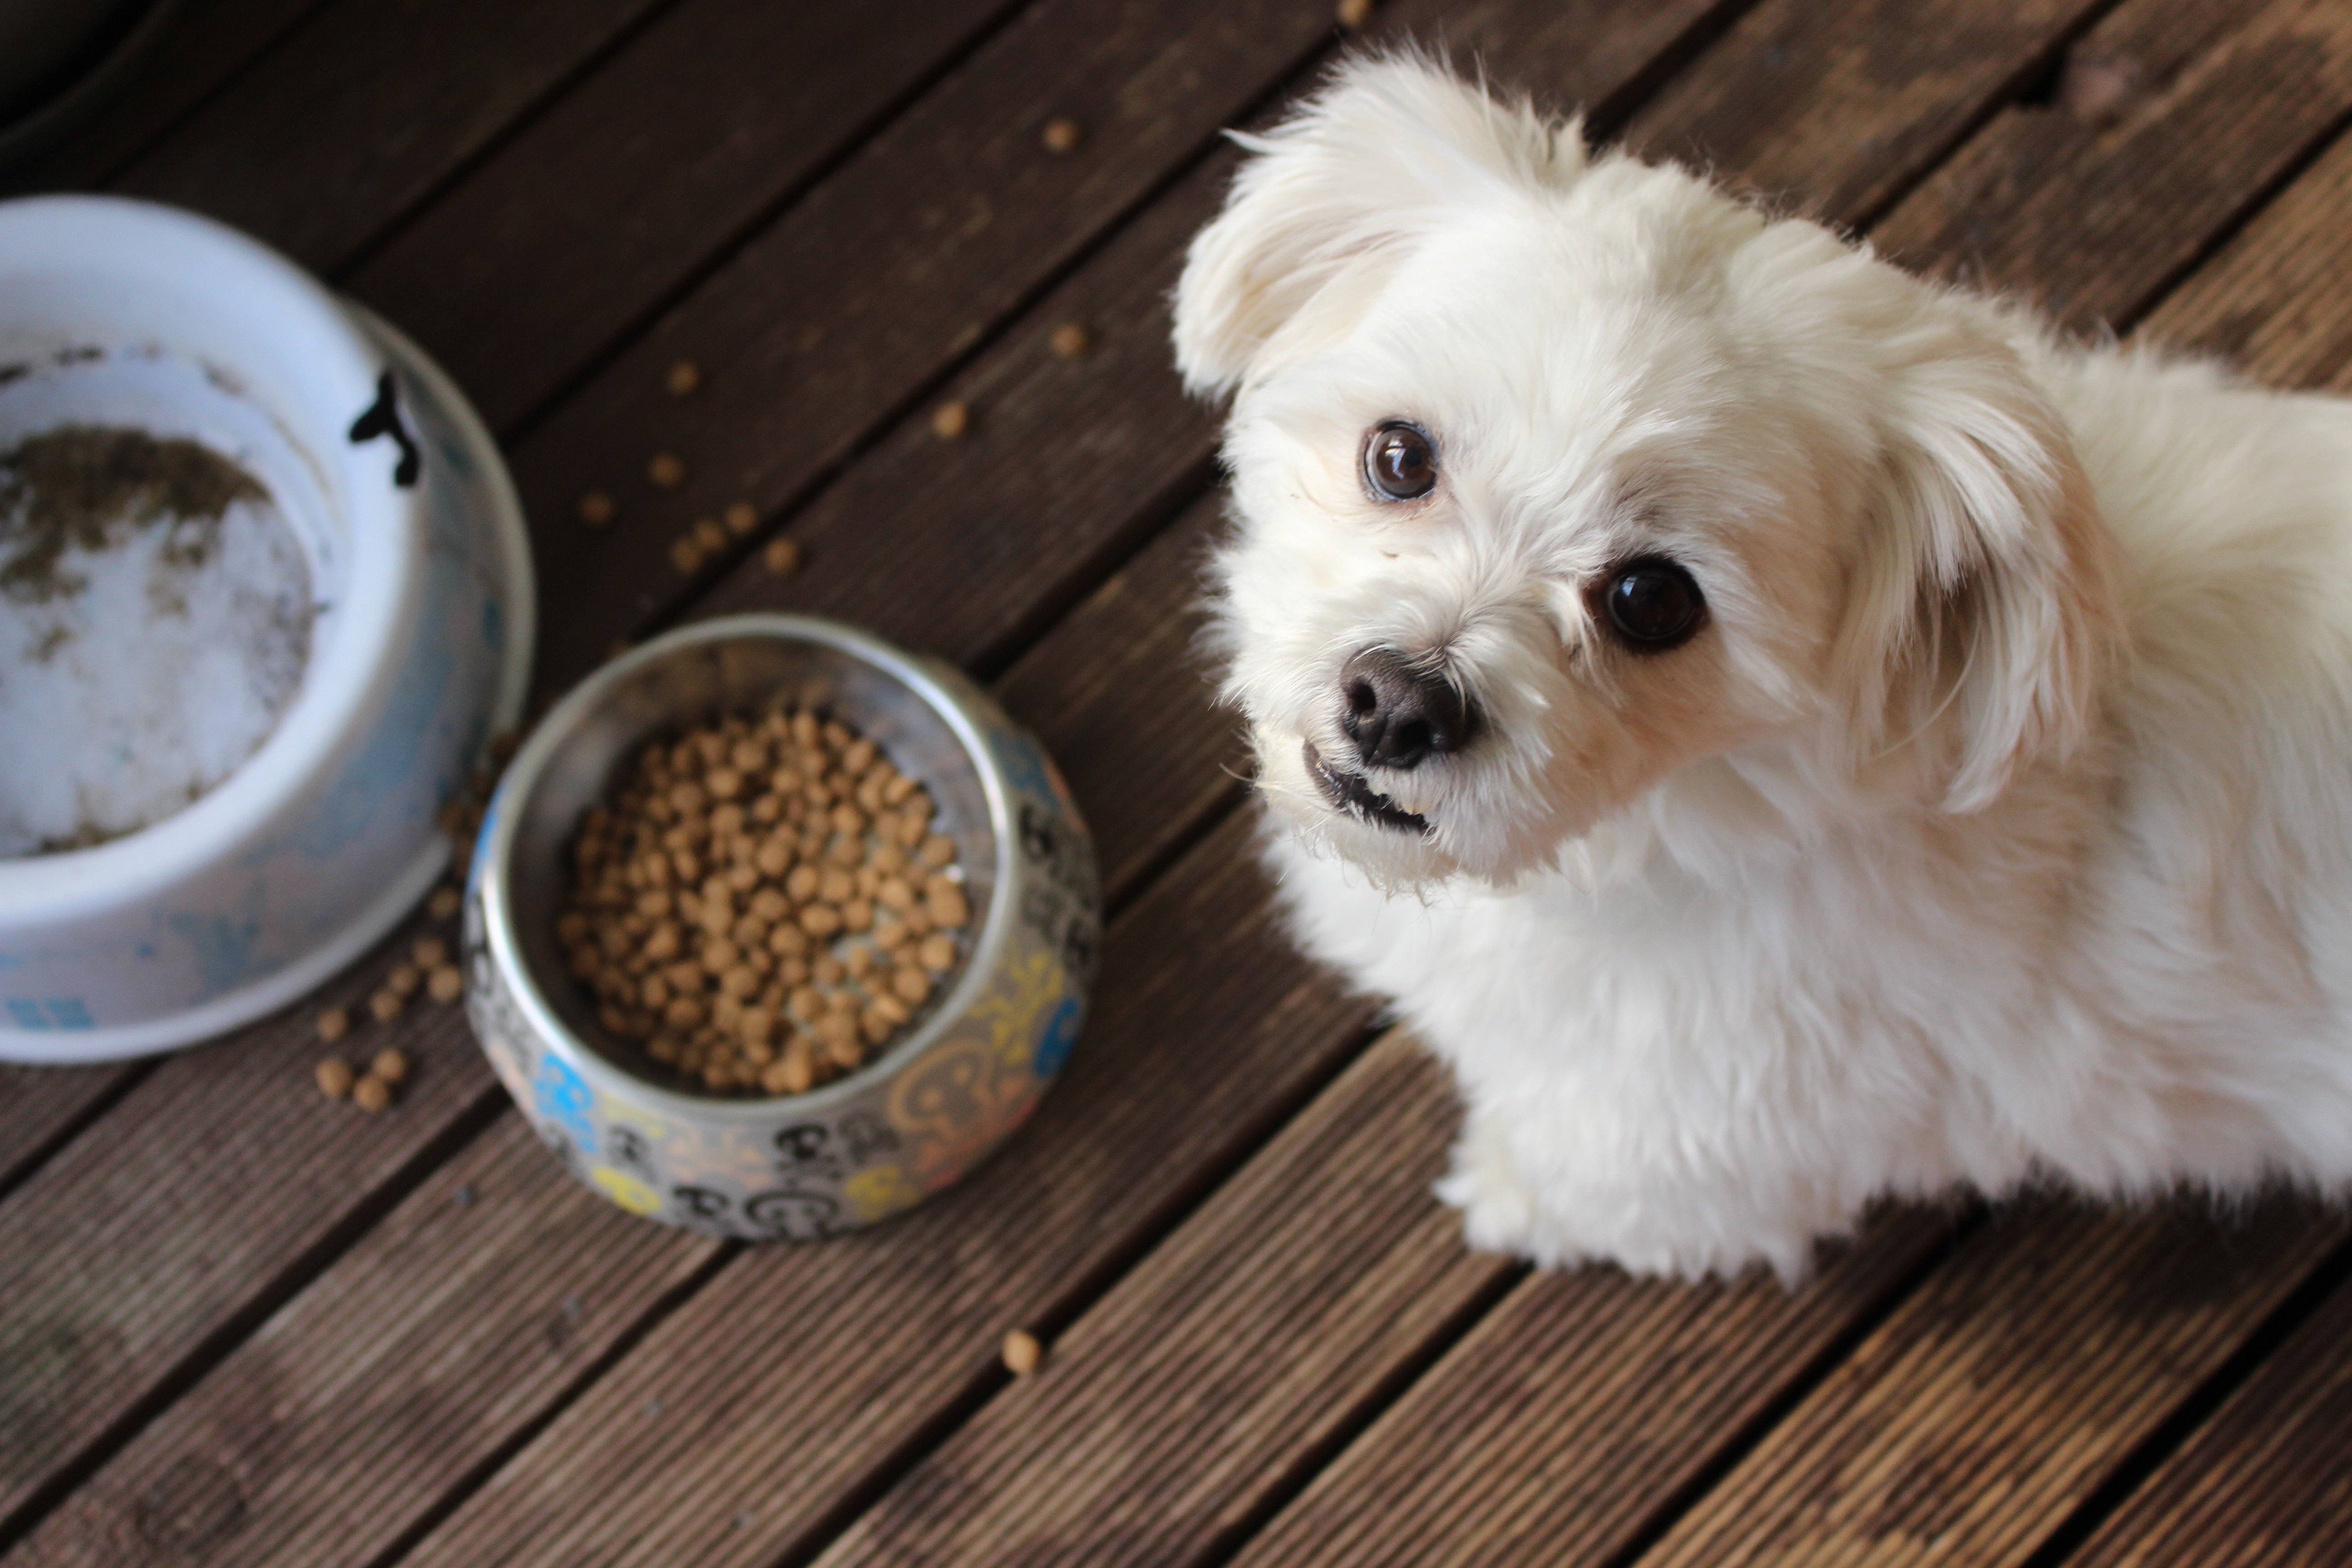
154 629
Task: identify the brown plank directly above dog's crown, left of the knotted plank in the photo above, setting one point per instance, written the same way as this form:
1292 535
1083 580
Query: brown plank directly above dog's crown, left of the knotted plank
1772 100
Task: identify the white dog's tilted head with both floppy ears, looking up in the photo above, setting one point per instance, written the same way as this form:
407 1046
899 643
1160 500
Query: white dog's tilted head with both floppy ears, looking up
1563 481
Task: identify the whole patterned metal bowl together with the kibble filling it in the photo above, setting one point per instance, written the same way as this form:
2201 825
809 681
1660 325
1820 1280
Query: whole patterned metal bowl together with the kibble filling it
777 930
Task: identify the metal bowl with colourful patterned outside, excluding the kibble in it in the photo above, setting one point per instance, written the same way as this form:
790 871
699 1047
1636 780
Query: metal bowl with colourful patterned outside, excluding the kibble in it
907 1125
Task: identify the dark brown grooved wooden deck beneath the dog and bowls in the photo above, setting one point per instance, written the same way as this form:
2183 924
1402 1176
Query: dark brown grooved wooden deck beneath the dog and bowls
248 1327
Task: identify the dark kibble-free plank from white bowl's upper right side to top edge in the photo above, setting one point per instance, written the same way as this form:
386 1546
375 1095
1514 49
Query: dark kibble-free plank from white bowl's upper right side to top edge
613 199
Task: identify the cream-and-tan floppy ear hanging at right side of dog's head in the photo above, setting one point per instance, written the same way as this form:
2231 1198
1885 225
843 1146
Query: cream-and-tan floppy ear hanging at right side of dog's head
1984 612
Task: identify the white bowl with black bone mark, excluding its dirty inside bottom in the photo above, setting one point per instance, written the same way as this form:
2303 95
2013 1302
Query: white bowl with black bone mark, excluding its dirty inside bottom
123 311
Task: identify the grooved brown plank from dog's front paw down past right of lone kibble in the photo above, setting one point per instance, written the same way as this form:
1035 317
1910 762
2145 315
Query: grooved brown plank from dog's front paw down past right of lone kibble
1264 1322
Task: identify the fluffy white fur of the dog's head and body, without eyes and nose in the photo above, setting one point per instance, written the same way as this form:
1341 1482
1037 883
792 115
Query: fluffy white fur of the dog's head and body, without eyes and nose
1998 824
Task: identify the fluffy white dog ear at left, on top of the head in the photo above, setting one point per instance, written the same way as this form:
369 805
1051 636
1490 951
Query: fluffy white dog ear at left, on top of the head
1379 156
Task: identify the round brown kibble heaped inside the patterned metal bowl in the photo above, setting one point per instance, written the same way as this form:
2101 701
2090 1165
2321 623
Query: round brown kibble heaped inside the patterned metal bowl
763 904
